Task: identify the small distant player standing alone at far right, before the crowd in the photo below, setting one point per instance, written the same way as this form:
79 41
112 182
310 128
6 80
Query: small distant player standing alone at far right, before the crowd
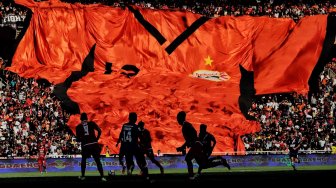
294 144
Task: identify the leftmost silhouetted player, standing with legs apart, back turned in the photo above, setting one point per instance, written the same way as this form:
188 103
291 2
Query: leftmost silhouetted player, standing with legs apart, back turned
85 133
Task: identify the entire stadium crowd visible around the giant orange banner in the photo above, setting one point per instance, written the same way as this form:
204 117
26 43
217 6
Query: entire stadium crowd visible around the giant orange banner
30 115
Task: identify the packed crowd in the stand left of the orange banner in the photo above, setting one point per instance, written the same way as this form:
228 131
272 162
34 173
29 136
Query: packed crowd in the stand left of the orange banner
29 116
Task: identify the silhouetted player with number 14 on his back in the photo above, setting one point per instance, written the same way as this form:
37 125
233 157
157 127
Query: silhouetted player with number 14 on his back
129 136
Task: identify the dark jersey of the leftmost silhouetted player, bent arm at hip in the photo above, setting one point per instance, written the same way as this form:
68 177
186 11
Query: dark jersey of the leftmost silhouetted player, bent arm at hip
86 133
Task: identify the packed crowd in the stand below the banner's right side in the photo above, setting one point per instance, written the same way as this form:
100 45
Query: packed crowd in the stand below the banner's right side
313 118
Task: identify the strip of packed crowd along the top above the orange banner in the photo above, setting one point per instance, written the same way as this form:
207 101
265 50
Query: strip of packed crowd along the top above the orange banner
272 8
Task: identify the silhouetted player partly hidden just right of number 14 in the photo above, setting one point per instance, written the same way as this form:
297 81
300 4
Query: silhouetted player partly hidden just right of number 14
146 144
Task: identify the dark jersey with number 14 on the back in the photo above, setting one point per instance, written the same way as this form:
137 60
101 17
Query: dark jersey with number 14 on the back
129 134
